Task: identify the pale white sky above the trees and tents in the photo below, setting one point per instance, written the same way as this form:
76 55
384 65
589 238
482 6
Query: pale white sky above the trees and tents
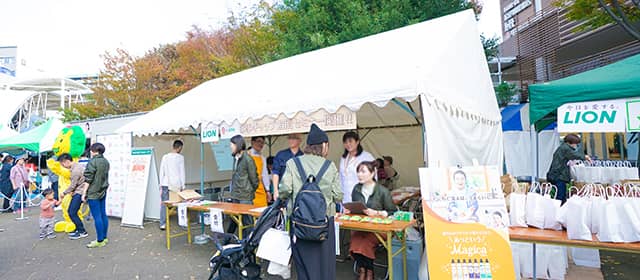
67 37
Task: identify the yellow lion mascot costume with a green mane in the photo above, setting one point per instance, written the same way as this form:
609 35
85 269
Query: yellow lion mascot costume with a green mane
72 141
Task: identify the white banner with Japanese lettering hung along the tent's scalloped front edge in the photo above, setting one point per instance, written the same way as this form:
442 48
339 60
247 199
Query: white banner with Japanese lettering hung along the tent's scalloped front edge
342 119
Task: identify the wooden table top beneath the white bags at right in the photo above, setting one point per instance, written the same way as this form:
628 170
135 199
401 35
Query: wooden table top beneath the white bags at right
560 238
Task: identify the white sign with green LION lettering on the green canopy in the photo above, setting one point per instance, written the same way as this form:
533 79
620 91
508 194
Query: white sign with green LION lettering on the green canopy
597 116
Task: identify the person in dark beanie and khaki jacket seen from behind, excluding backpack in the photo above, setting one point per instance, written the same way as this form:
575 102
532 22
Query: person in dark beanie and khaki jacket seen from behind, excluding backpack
313 259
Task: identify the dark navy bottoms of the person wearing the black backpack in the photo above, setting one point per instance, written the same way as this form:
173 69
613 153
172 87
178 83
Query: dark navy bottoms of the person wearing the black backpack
316 260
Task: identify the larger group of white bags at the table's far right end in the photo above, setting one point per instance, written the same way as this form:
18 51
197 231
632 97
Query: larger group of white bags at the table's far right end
611 213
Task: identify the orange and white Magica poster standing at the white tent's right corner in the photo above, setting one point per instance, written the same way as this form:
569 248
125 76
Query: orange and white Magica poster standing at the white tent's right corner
467 236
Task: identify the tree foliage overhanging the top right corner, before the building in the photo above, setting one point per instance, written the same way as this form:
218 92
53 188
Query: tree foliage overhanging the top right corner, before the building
597 13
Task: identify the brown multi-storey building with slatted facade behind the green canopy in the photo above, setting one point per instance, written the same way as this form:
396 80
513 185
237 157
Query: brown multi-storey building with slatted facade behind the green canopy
547 46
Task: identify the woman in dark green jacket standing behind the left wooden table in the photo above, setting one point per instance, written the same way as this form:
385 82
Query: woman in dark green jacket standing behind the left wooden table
244 180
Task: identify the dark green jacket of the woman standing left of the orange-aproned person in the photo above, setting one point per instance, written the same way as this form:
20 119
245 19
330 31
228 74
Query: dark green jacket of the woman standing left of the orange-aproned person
244 180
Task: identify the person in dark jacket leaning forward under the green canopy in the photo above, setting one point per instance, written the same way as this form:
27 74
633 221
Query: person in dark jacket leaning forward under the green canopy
559 173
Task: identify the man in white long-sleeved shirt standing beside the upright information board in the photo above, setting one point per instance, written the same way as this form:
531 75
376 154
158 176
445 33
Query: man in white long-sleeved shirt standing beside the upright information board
172 177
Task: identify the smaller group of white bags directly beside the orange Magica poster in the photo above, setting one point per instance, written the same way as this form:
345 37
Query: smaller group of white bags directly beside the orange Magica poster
537 207
